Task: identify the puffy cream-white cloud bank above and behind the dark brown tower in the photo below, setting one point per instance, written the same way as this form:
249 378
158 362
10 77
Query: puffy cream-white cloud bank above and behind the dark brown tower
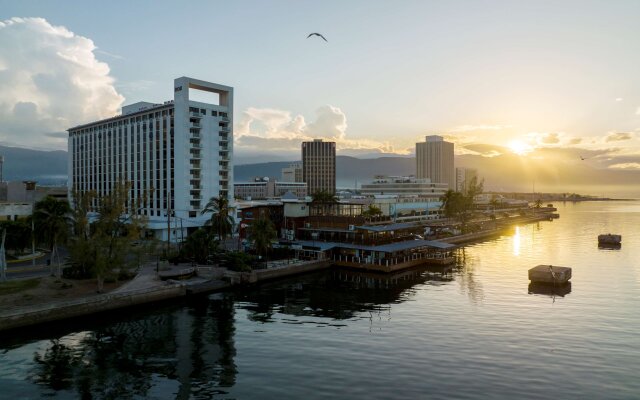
270 129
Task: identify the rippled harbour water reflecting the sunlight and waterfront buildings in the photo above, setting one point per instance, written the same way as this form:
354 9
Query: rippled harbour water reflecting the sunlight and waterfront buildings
478 332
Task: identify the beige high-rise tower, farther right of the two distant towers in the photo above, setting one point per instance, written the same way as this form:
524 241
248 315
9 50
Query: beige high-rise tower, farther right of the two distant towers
434 160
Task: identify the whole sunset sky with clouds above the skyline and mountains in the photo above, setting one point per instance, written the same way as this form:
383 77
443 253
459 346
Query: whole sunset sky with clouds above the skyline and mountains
494 77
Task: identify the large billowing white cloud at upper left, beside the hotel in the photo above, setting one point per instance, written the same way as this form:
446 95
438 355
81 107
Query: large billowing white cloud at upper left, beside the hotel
50 80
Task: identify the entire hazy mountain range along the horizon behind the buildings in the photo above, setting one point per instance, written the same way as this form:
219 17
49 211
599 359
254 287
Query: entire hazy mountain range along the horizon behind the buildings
505 172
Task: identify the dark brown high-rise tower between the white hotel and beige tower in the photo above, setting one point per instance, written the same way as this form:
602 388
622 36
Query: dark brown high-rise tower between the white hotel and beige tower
319 166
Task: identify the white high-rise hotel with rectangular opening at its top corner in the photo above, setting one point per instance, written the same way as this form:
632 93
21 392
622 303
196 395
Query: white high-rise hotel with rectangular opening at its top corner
177 154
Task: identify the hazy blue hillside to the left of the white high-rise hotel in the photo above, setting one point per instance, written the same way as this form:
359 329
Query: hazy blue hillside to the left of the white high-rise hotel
45 167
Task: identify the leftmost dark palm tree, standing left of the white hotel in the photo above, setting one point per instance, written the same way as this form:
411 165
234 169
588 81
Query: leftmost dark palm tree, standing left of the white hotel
52 217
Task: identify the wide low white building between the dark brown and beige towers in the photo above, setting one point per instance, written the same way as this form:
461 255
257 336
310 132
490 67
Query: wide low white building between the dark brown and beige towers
404 186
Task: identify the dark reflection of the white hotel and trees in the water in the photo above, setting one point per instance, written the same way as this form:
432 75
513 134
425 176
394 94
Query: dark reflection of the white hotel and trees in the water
189 352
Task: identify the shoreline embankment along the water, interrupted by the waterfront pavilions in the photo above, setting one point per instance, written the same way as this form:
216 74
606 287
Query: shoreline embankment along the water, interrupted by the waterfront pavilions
150 291
